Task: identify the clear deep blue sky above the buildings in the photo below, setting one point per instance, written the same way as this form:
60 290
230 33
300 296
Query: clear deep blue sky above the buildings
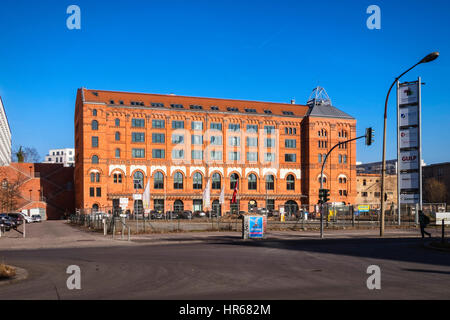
271 51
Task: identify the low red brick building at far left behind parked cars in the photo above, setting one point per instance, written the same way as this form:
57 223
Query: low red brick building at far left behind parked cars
49 187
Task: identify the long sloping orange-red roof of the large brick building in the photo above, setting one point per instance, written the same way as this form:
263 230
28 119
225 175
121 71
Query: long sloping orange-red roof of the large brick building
114 98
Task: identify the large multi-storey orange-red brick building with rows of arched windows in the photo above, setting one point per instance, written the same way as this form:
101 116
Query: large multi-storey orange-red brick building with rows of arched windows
177 144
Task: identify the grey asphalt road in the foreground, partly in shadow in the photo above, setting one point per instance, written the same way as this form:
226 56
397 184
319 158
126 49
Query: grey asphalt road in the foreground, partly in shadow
296 266
